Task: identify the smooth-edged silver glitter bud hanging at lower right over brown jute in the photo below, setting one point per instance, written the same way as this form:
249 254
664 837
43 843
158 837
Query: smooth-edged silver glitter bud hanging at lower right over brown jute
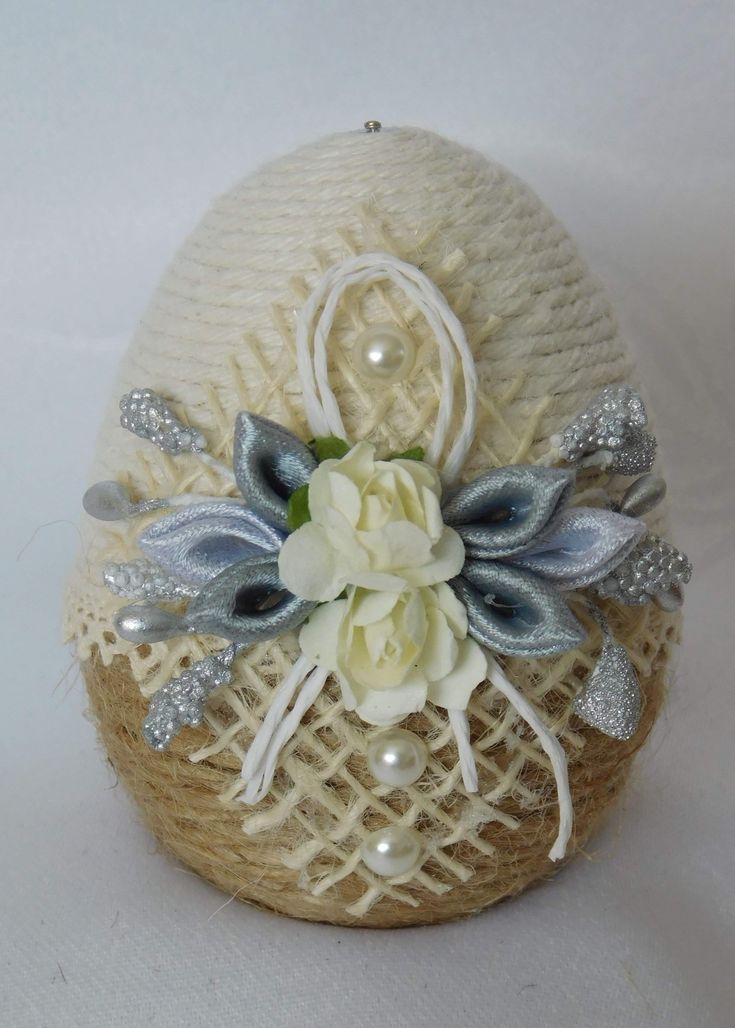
611 699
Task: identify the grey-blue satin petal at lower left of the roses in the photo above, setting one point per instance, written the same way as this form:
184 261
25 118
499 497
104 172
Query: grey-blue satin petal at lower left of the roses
248 604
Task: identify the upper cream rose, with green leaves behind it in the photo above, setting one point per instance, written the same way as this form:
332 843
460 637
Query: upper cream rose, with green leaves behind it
375 524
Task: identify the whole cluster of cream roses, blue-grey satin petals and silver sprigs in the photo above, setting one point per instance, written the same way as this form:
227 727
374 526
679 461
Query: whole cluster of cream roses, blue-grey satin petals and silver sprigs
406 593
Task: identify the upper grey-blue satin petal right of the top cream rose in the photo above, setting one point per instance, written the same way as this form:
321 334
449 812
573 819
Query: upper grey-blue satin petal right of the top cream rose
504 510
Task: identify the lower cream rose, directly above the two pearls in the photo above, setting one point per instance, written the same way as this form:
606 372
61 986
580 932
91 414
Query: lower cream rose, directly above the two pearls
394 651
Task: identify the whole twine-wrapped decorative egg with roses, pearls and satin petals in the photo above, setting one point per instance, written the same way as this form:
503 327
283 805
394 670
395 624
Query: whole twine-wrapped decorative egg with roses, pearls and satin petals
376 602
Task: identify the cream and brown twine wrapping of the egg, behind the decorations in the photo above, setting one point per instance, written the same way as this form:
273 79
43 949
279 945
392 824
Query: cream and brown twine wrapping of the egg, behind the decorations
219 339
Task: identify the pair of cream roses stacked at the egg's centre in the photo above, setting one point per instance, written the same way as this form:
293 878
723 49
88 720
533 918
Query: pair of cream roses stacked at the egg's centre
378 556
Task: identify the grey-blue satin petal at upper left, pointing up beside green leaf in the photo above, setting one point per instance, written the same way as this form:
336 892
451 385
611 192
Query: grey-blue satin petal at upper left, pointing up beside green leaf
270 464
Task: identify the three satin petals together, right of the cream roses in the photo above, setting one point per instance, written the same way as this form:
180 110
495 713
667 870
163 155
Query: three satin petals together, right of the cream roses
526 549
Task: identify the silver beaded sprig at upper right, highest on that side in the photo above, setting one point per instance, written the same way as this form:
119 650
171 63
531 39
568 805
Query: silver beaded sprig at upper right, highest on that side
612 427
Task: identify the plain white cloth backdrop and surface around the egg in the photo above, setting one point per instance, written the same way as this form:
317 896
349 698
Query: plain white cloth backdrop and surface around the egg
117 127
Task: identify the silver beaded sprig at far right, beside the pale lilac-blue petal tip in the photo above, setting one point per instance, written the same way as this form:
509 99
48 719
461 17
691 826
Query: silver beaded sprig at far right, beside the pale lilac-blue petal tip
655 570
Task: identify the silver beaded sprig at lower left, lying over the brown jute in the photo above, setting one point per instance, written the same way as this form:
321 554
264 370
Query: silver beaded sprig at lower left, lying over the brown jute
182 701
